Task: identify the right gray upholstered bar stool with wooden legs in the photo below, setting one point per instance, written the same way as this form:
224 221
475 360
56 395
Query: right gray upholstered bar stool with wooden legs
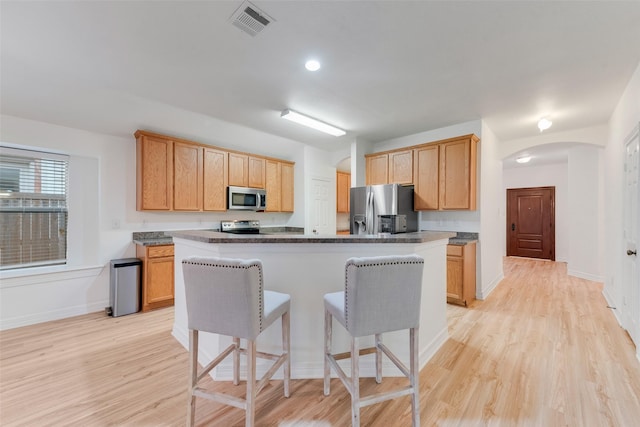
382 294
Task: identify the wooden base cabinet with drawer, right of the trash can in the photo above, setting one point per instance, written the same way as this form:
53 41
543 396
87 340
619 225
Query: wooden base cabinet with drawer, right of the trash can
157 276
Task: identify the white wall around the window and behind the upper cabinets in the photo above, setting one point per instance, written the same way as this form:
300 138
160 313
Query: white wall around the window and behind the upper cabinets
102 212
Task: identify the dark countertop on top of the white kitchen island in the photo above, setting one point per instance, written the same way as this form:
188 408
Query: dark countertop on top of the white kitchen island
207 236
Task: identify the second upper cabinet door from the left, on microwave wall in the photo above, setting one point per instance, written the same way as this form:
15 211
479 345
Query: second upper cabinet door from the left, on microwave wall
187 177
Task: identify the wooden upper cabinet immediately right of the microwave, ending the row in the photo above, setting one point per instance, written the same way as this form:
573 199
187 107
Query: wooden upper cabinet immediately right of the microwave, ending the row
279 186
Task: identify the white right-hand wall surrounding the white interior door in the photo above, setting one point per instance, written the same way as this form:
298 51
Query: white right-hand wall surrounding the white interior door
625 117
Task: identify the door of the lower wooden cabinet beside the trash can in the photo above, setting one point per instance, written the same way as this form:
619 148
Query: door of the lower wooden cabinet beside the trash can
158 291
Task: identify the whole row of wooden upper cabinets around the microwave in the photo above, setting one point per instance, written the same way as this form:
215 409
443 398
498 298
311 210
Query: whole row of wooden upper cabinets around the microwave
174 174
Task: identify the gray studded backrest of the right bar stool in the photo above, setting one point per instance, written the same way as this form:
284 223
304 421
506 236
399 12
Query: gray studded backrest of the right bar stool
382 294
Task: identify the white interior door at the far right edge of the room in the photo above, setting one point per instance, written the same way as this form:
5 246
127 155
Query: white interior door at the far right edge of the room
631 269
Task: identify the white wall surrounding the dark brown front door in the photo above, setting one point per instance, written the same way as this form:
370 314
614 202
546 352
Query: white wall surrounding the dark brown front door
550 175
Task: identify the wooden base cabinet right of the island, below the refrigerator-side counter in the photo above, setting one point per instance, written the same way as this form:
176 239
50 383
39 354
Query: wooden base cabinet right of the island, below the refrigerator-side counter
461 273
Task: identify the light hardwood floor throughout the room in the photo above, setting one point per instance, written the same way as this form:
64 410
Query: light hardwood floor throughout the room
542 350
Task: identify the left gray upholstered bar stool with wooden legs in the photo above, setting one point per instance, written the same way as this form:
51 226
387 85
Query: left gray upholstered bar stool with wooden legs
226 296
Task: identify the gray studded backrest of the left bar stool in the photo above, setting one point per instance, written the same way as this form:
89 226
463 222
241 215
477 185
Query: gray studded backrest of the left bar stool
224 296
